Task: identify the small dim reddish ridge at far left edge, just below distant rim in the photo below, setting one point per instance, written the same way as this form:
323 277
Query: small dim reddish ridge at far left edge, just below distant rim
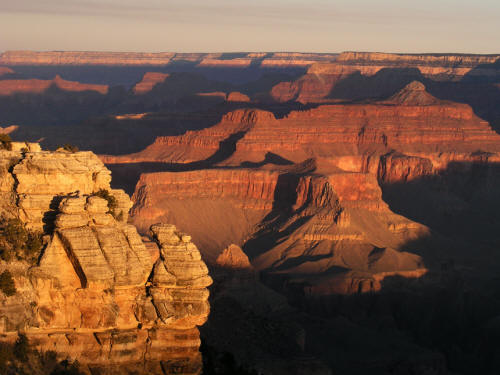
38 86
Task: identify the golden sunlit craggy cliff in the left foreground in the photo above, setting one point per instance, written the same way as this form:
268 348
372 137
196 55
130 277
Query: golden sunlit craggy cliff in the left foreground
97 295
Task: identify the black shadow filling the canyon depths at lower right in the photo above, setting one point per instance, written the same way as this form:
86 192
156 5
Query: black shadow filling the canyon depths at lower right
447 321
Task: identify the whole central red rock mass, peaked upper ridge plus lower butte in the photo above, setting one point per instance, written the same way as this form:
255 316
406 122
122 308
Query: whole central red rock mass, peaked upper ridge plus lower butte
304 189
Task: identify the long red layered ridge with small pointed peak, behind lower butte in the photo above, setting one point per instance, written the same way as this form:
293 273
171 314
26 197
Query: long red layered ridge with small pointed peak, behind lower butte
424 132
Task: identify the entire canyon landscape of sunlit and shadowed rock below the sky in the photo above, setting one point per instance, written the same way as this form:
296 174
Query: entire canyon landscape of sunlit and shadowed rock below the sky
345 206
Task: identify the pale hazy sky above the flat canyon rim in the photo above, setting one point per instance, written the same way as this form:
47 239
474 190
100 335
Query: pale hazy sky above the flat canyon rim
258 25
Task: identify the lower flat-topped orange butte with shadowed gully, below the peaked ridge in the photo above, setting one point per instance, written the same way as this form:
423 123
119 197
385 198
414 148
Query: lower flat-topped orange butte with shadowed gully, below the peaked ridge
321 222
